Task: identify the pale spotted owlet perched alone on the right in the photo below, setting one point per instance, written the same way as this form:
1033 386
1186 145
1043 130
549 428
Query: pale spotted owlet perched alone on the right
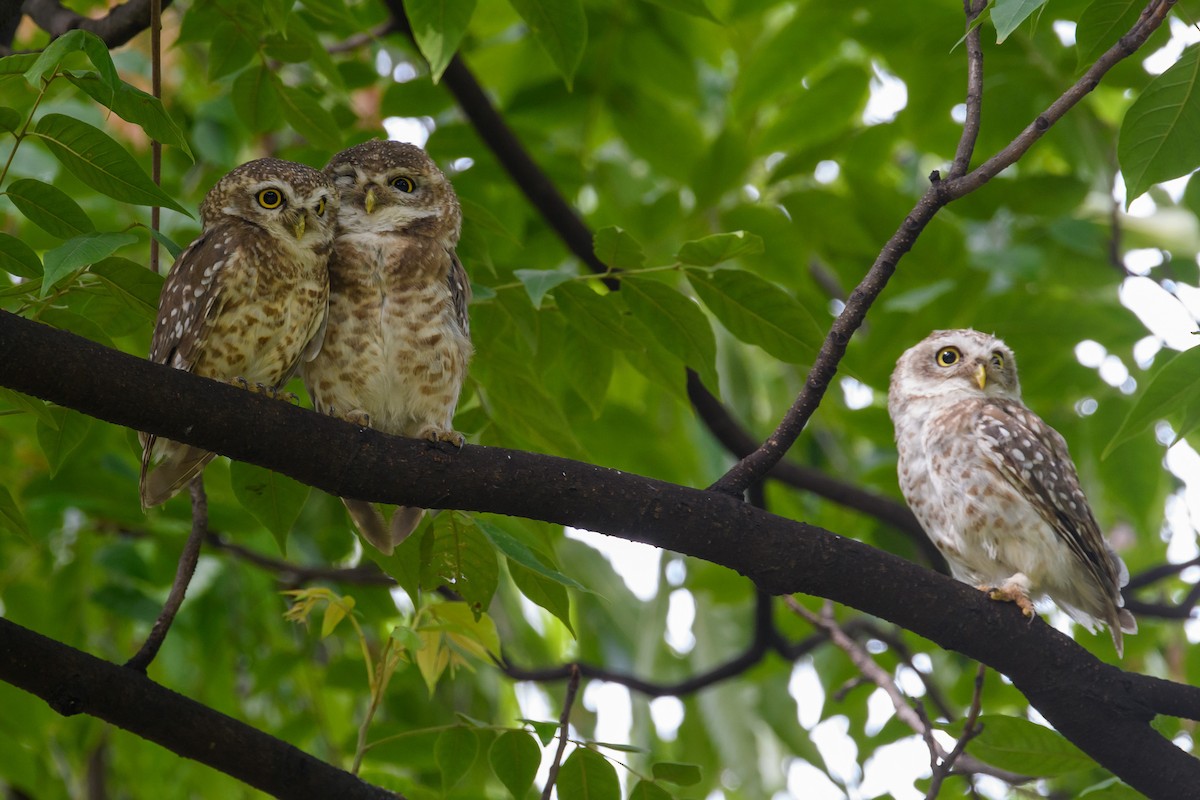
994 486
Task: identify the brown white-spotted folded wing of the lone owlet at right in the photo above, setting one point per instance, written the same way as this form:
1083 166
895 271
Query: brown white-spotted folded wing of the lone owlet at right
1034 458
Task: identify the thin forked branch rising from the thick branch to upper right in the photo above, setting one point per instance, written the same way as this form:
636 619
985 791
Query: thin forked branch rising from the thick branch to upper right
940 194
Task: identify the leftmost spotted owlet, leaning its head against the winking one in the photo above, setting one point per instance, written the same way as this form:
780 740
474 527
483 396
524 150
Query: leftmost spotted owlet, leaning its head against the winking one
247 302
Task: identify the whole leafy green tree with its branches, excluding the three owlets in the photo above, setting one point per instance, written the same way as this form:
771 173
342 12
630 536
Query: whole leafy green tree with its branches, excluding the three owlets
699 233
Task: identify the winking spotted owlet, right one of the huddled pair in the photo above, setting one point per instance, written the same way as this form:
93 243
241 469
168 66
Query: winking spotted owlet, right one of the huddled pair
399 341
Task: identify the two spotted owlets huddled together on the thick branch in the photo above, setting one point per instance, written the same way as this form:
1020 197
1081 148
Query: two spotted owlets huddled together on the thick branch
349 275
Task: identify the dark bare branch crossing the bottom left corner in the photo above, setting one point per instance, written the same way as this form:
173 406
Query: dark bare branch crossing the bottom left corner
76 683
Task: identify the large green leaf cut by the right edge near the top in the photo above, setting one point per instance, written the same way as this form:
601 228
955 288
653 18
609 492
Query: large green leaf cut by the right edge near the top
1157 140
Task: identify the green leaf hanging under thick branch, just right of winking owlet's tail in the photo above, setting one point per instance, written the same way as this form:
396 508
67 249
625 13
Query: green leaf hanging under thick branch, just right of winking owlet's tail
461 558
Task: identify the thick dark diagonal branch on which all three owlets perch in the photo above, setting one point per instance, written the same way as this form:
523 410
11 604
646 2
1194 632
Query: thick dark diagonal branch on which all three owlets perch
1106 712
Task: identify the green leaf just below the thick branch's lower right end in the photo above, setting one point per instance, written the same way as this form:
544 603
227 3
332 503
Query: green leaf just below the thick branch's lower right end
1023 747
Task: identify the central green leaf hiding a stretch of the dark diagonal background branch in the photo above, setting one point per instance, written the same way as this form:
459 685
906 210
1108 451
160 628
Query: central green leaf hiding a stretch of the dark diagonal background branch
676 322
